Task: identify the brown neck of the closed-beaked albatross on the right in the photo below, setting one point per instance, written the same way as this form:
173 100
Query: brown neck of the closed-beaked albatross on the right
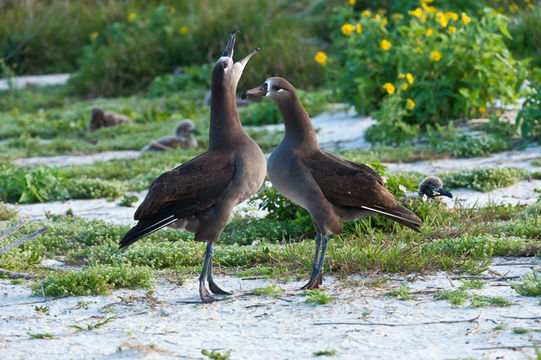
299 128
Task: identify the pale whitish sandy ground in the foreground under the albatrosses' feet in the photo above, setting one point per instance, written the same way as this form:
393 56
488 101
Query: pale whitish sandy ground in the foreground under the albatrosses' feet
361 323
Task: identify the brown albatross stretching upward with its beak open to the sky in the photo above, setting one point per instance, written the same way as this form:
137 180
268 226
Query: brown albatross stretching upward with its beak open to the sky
199 195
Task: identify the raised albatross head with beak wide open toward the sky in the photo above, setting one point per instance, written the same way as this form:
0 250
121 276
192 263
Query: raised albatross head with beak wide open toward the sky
226 72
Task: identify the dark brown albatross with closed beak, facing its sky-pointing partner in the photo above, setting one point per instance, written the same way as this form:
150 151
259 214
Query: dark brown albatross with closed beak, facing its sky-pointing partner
333 190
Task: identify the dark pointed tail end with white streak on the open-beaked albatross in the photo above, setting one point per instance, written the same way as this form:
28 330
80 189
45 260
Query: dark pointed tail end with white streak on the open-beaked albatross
154 222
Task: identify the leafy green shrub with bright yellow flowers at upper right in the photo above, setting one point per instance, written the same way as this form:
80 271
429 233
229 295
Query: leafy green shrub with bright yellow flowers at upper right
423 67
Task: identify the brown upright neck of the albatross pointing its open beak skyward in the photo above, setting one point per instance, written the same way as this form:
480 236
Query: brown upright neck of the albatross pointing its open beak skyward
225 124
